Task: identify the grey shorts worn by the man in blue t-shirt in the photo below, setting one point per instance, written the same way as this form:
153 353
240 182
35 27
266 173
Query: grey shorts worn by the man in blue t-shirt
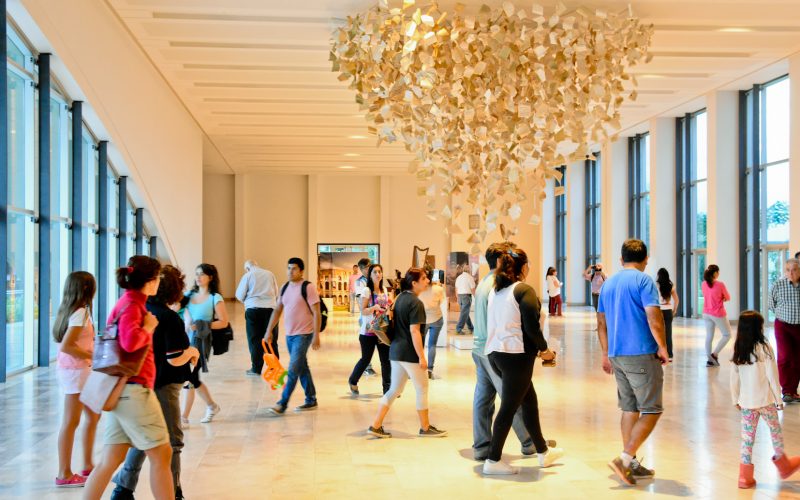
640 383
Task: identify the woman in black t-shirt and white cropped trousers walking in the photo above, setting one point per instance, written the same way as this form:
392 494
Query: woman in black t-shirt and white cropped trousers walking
407 354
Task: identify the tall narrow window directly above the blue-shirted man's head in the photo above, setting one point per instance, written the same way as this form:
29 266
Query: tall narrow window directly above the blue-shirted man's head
639 187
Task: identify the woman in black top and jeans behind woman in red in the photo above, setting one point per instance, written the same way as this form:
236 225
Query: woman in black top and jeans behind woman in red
173 356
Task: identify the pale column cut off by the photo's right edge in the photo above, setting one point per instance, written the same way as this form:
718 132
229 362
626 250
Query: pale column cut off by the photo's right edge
794 152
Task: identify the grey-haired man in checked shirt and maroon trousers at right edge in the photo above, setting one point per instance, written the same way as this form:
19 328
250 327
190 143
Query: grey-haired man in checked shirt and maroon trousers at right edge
784 301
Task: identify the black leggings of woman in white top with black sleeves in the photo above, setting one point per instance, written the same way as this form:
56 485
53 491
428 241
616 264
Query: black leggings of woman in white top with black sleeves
516 371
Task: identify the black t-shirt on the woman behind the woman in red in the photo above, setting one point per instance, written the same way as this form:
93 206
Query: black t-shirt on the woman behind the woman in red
169 341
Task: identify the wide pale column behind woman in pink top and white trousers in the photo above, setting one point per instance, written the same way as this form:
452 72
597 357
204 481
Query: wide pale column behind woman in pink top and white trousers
723 190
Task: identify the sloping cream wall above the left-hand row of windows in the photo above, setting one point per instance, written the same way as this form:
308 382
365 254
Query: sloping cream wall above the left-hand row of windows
152 138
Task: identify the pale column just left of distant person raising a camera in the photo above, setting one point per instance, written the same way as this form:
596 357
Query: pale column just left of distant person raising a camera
576 221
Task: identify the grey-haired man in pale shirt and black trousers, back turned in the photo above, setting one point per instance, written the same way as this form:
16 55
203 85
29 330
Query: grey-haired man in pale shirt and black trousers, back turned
258 291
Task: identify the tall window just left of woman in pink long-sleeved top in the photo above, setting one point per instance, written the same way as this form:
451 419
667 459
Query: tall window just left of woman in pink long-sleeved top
692 214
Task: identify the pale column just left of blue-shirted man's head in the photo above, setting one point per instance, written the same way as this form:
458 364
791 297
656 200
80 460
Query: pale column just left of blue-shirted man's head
614 214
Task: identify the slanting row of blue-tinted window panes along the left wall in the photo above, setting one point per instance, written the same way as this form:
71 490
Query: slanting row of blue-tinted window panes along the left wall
22 239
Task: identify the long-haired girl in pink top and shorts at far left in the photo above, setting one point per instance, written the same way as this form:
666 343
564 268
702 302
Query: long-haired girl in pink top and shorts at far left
74 331
